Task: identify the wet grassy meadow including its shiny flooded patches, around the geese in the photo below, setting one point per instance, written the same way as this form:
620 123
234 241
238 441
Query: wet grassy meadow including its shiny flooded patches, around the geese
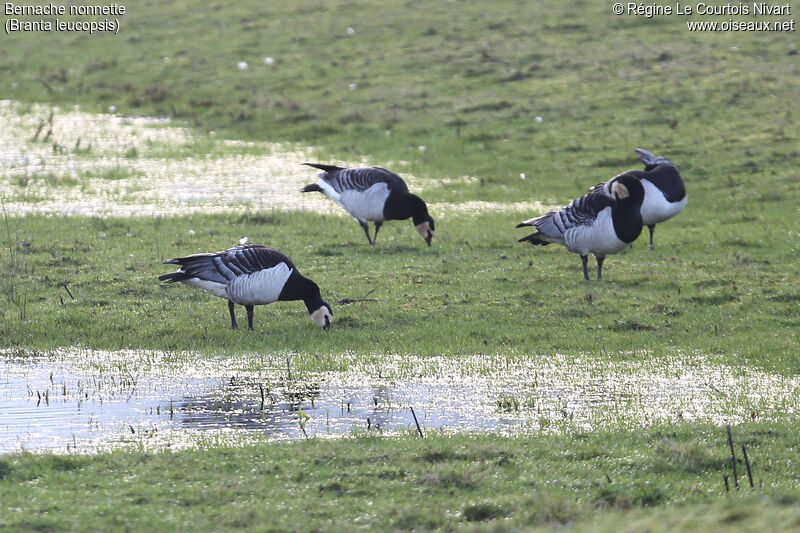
544 400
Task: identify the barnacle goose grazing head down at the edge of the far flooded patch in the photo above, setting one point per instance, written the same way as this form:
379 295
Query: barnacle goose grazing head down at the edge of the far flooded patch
372 193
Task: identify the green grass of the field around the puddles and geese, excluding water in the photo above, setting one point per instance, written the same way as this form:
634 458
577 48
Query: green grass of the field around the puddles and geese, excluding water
469 82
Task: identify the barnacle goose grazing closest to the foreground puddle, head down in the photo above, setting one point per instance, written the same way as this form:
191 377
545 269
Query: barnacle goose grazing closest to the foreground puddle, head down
250 275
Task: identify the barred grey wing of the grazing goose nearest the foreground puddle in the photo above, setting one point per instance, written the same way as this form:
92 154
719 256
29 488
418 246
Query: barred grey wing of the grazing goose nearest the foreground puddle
224 266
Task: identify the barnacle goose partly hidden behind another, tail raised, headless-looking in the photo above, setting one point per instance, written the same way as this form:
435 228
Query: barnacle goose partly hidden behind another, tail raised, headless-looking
664 192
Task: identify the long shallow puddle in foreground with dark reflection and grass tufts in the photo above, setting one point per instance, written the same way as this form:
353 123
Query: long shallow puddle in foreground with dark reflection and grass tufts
85 401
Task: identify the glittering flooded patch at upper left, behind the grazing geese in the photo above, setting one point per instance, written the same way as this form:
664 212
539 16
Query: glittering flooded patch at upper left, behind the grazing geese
68 162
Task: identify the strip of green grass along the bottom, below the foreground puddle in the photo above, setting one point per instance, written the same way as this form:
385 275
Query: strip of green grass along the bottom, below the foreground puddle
440 482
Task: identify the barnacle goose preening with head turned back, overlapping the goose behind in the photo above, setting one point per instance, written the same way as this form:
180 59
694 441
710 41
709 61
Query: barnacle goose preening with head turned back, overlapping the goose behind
594 223
